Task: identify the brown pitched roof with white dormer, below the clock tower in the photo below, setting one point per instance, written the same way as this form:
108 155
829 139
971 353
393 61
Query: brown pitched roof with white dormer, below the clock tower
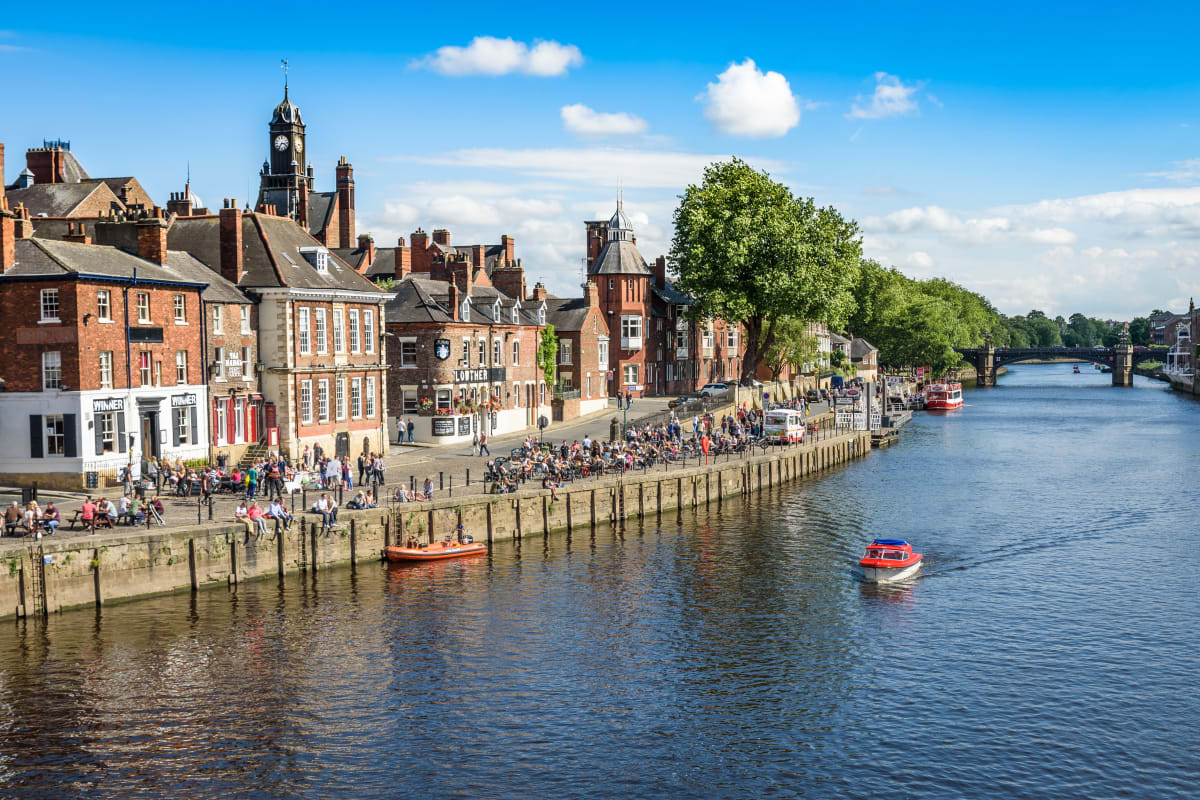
271 252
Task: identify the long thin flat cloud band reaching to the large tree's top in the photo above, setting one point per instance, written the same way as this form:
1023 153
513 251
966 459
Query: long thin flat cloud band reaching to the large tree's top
592 166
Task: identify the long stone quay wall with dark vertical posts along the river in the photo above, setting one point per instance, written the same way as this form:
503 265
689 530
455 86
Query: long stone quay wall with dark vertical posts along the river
76 572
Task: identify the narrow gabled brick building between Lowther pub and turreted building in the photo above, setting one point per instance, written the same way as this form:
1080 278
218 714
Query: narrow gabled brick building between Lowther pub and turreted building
584 342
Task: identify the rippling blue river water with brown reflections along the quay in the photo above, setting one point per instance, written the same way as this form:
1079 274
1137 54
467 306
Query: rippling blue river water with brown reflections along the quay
1049 648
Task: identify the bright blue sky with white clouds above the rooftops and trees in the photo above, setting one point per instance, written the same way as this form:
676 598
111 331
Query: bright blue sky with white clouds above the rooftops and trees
1045 155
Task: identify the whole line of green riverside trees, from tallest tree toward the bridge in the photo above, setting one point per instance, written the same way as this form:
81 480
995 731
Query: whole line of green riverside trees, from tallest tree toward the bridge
752 252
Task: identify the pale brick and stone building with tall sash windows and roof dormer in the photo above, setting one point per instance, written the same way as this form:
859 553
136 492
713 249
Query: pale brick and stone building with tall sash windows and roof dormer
321 364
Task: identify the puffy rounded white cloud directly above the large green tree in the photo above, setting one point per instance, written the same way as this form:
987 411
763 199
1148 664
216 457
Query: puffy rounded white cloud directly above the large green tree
746 101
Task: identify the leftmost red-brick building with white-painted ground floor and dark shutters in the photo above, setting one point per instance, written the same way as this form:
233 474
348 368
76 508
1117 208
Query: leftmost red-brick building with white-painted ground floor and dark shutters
103 356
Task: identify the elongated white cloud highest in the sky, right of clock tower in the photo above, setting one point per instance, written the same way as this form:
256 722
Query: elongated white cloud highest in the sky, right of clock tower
488 56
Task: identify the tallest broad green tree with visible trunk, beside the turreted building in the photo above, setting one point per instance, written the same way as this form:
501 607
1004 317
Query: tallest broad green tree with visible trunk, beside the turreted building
751 252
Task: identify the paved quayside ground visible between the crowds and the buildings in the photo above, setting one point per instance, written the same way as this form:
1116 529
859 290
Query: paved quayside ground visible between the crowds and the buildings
449 466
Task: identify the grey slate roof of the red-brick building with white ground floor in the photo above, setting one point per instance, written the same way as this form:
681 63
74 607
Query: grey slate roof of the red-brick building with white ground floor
49 257
